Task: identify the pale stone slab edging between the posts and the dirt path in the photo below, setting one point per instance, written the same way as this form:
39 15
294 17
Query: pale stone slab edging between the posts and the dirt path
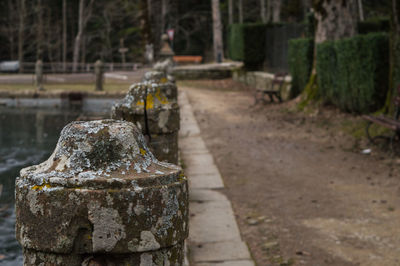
214 237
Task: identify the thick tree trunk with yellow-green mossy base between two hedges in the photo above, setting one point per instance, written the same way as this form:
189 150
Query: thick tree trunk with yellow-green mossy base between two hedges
336 19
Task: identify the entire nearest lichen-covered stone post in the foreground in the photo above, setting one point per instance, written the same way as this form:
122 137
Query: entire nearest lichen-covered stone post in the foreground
102 199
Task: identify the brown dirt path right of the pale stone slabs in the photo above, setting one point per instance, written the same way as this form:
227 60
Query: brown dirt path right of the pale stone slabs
302 192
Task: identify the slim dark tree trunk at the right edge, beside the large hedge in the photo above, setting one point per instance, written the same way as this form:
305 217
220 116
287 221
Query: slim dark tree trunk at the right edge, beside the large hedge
394 79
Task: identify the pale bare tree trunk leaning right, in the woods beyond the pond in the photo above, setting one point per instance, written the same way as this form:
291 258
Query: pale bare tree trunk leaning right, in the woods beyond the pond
84 16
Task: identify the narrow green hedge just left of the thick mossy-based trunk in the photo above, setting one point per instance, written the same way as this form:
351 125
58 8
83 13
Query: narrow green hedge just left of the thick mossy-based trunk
300 63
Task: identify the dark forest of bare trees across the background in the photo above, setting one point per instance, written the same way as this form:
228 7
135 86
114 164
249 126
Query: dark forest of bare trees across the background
48 29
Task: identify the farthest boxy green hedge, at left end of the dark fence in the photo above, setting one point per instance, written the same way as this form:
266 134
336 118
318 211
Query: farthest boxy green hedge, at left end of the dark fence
246 43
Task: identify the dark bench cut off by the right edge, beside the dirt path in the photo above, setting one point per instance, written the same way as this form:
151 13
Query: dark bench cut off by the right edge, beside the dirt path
392 124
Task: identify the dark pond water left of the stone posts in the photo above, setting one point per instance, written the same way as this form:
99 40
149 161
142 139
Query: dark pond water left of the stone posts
27 137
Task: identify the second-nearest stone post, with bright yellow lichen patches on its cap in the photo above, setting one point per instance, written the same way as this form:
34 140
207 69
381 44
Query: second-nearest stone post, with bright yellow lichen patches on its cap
154 108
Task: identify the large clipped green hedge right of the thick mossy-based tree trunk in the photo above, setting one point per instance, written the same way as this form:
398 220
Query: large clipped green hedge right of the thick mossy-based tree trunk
353 73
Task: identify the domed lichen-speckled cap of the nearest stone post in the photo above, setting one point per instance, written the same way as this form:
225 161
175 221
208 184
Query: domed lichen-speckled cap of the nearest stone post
97 153
